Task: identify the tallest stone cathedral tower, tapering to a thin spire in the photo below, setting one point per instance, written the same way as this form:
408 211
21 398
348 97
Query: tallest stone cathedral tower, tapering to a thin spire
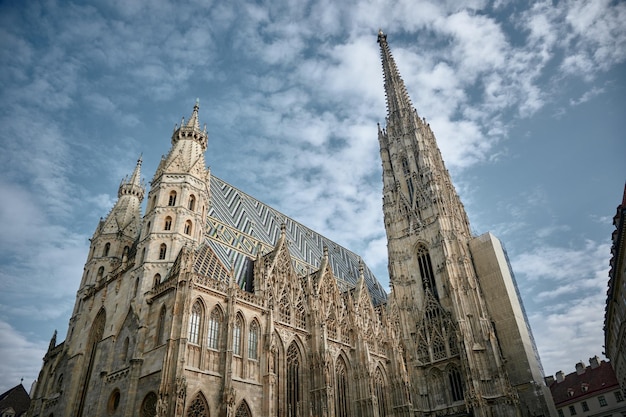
453 356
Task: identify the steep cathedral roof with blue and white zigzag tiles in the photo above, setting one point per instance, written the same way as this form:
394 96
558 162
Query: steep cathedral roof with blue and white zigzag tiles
239 226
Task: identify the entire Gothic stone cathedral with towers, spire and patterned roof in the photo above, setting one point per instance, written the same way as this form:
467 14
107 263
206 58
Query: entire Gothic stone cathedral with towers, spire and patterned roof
211 303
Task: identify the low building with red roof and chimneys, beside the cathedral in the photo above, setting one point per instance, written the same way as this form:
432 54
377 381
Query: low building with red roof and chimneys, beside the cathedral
591 391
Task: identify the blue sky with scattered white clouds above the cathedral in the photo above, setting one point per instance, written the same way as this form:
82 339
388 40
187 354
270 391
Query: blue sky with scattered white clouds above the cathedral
526 100
